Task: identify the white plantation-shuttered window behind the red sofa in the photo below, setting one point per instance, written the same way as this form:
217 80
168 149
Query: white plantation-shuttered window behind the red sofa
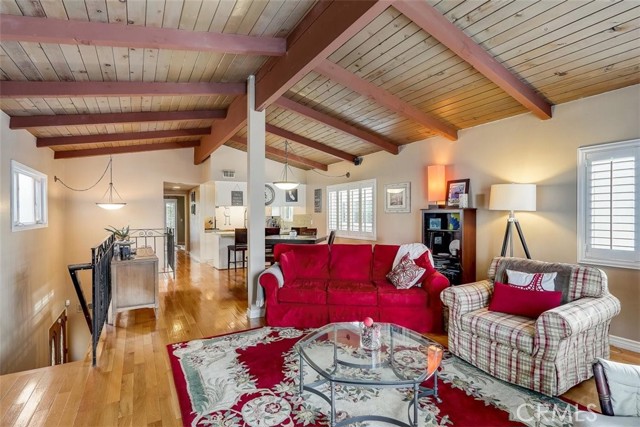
351 209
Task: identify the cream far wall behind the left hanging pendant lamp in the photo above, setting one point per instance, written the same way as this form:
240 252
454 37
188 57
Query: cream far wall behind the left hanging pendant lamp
139 179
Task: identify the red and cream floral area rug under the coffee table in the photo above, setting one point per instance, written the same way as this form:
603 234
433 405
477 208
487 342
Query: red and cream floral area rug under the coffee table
251 378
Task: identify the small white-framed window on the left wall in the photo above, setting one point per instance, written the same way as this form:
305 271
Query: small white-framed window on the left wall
28 197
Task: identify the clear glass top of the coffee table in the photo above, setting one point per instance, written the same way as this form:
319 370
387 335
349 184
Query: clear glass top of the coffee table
335 352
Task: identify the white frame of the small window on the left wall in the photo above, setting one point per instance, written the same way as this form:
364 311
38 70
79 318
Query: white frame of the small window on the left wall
40 205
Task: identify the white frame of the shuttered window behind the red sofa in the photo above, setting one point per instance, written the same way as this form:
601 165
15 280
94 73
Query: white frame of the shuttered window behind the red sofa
354 229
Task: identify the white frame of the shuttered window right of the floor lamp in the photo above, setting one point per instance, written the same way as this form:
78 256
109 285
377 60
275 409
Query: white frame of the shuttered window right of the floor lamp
597 256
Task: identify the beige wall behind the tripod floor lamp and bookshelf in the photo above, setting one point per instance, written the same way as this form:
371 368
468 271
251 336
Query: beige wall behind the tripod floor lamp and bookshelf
519 149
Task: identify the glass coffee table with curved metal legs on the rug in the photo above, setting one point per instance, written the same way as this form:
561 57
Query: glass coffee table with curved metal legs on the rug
405 359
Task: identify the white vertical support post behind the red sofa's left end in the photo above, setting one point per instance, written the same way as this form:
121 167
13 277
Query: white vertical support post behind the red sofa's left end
256 213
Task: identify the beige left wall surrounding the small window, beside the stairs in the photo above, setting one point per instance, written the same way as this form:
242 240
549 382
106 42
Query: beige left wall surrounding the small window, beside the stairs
33 280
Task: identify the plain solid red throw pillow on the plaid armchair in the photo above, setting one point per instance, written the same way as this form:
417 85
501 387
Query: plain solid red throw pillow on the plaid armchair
522 302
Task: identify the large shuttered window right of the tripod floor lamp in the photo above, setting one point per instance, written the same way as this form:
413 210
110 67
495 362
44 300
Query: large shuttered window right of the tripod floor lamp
609 204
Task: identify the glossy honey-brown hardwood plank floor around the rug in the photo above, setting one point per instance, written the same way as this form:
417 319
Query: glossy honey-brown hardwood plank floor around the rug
132 384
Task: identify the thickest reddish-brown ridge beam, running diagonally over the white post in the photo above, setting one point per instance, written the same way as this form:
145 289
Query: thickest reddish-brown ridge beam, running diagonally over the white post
323 29
